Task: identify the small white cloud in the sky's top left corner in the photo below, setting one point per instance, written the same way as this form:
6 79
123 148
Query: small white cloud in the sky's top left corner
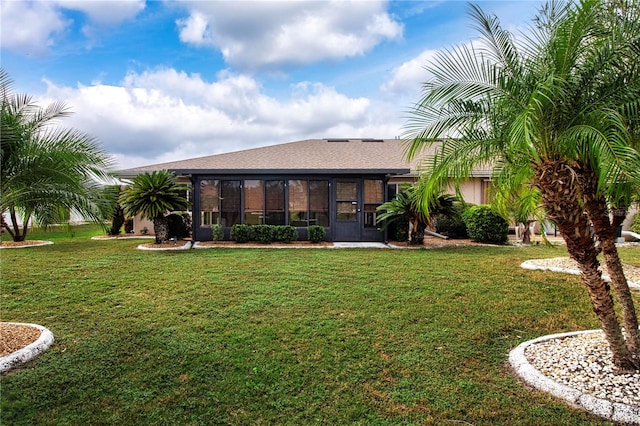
30 27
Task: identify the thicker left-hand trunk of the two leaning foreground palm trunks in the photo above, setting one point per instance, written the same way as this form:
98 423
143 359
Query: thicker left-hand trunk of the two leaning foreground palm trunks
560 197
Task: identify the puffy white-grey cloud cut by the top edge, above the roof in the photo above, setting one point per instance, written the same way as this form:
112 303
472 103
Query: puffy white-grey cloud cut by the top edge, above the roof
256 34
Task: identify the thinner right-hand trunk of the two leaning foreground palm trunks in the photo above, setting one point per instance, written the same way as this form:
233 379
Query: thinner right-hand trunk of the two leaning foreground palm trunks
596 207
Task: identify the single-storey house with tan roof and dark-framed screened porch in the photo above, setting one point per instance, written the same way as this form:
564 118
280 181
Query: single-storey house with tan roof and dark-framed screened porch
334 183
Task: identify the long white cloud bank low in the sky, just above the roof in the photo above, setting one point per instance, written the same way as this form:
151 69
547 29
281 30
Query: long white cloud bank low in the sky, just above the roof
165 115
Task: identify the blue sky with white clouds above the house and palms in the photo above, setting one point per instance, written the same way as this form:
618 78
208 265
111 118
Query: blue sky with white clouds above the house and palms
156 81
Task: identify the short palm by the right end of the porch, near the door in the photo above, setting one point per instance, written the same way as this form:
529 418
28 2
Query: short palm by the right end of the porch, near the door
407 205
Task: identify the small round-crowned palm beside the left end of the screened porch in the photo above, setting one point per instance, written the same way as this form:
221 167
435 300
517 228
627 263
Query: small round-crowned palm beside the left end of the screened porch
152 195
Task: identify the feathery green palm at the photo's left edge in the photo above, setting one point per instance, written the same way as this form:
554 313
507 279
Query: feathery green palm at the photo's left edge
46 169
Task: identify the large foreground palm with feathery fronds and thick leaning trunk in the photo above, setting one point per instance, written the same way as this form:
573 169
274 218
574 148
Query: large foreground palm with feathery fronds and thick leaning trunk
543 113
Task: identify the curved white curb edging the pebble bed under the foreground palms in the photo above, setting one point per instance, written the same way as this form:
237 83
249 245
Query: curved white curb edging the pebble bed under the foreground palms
614 411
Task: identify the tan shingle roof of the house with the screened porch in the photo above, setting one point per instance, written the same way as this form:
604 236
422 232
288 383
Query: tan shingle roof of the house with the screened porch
306 156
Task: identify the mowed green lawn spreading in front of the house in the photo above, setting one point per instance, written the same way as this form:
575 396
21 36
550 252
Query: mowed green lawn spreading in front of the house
286 336
